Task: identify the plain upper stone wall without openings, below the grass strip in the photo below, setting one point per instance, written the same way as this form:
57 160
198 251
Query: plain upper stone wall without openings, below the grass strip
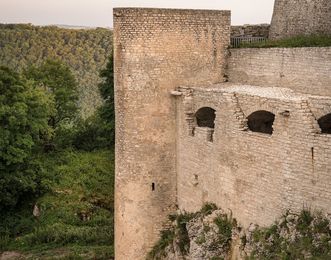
305 70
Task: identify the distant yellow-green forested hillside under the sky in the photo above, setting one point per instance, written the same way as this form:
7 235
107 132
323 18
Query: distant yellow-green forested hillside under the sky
84 51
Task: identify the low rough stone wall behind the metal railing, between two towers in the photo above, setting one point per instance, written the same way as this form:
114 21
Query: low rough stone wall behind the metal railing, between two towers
258 30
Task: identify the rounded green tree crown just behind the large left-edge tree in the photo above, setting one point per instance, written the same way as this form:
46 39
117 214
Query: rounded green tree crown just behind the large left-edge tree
57 79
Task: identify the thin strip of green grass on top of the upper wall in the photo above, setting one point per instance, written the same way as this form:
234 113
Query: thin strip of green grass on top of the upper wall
298 41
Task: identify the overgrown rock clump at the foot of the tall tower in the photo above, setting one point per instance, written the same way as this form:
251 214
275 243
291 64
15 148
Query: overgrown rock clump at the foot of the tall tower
179 237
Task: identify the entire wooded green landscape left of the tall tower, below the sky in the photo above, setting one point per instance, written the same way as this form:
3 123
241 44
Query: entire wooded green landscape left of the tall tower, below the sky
56 143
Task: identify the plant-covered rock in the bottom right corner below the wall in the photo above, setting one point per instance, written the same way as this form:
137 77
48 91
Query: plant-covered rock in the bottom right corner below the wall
307 235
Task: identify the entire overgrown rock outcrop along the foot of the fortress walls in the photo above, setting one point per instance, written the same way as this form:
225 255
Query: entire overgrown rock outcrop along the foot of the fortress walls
212 234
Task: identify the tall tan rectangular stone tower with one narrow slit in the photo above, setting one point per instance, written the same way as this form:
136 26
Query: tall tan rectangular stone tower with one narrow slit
156 50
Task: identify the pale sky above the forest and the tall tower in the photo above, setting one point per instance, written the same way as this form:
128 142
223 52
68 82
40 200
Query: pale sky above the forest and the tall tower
99 12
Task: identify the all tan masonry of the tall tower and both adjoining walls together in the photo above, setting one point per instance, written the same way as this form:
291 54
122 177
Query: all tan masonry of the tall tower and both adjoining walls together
197 122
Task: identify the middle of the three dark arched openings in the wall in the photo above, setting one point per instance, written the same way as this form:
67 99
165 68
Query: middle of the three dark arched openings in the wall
261 121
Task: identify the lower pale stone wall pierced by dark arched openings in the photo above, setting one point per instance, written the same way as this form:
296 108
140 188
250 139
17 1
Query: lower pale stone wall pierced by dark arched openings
257 176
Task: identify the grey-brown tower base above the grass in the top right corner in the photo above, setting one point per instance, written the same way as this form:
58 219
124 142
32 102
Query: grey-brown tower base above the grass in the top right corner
300 17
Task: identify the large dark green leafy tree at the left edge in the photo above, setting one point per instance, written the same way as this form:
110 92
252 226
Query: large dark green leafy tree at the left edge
24 110
